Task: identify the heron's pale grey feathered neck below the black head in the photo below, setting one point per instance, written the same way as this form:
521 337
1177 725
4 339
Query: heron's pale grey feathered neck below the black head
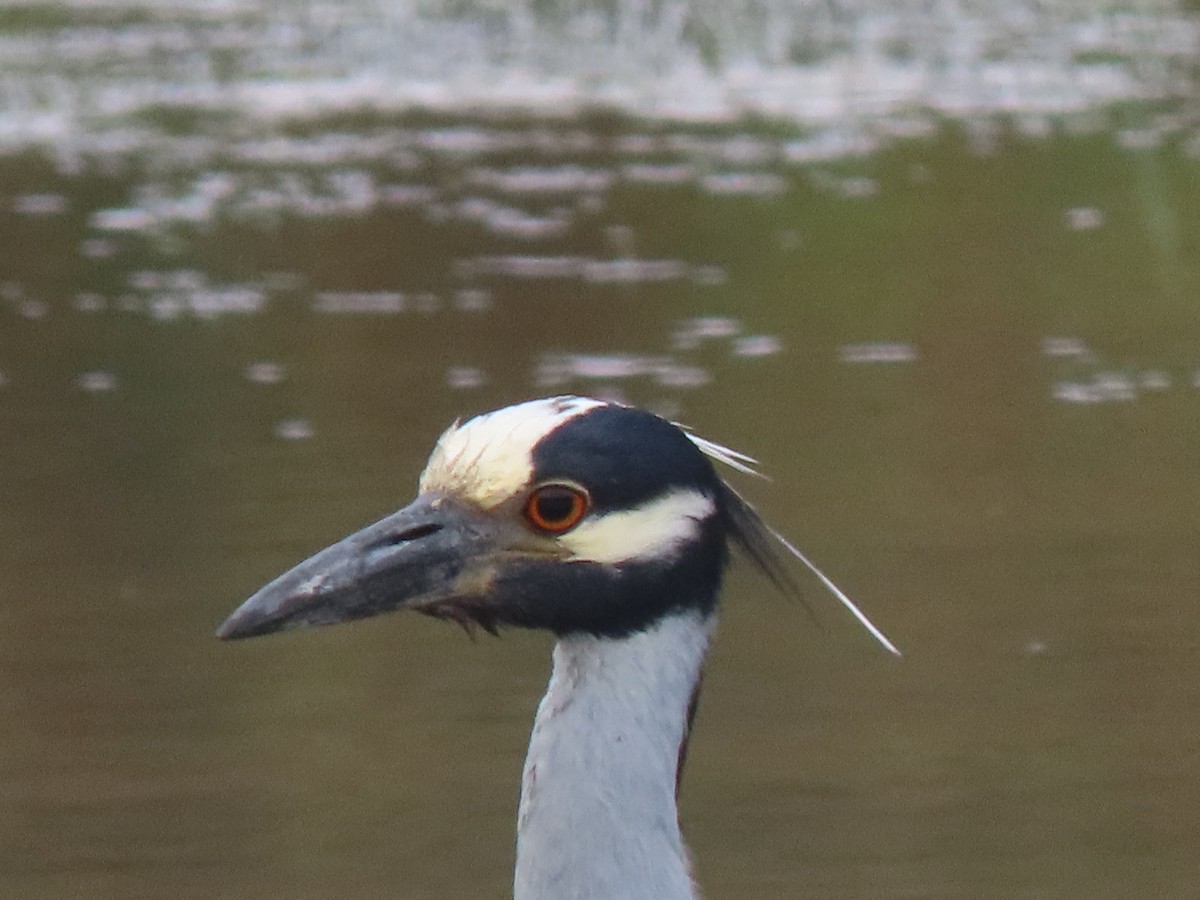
598 800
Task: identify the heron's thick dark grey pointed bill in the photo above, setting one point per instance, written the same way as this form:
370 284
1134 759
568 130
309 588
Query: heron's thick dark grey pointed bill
437 556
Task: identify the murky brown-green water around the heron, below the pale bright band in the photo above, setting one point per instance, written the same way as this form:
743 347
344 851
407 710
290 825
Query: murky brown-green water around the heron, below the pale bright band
1013 500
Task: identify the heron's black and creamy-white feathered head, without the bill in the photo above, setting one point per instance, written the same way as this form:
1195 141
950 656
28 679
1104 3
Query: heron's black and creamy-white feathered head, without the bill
651 536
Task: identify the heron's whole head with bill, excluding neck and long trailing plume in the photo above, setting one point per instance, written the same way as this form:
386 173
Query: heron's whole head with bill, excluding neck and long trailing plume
571 515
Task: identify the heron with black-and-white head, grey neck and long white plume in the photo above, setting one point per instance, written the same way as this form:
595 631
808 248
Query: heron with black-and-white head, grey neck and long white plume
609 527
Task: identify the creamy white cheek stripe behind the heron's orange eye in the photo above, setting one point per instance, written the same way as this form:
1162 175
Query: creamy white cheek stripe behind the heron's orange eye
655 531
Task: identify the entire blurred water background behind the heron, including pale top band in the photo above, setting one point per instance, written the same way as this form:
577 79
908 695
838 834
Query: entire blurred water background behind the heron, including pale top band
935 265
